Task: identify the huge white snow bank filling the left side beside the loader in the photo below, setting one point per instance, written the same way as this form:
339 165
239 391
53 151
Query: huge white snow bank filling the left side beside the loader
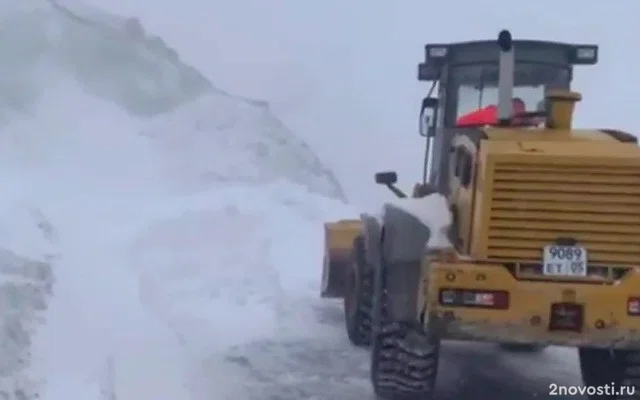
98 131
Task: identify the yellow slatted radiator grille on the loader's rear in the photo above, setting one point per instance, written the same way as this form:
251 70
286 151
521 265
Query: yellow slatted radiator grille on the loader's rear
533 205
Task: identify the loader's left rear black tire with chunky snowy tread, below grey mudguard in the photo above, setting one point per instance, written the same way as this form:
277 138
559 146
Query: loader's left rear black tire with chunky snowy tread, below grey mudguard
404 362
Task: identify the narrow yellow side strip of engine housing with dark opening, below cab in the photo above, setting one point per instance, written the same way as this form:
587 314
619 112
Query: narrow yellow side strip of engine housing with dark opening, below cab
462 190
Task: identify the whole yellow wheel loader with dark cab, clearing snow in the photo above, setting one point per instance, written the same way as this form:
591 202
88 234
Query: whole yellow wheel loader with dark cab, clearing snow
542 222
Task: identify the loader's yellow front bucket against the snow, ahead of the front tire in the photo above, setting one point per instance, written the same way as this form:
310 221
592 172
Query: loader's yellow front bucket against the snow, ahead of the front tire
338 241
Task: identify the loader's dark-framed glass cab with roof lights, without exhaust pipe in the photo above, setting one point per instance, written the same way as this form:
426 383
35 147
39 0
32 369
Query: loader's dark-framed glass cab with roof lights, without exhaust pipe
465 77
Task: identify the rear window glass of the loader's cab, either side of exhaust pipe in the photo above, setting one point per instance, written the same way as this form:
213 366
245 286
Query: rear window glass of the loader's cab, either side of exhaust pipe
477 85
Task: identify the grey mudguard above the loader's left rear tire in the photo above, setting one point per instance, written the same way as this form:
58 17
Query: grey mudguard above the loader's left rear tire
404 240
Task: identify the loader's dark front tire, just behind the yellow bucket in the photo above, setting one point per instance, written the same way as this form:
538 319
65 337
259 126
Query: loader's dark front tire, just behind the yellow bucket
357 300
